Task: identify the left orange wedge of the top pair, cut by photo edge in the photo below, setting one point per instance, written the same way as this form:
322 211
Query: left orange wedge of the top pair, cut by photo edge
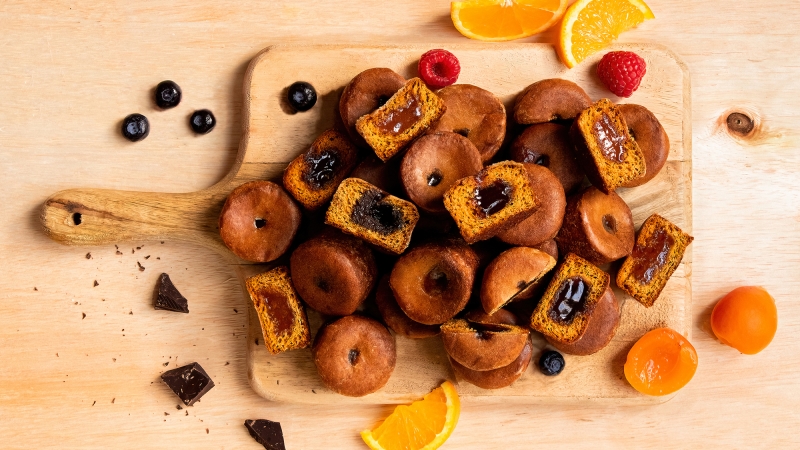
504 20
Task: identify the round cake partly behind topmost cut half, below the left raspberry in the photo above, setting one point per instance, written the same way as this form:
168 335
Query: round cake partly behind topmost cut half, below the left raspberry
474 113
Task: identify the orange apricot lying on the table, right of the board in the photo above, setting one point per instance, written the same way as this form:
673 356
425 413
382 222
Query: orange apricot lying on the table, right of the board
746 319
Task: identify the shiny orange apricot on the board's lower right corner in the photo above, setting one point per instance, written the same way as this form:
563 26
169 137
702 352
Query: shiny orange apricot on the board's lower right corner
660 362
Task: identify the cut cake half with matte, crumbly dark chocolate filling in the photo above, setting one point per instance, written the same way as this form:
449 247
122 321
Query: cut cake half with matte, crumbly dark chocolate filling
363 210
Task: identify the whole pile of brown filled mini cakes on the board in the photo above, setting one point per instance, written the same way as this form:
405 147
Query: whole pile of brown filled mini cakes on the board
428 220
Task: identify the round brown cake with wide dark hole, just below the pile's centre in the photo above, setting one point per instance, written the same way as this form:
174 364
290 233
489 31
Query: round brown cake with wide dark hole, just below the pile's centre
433 282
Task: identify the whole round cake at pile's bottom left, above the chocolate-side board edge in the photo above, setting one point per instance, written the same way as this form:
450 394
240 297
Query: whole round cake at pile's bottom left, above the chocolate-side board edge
354 355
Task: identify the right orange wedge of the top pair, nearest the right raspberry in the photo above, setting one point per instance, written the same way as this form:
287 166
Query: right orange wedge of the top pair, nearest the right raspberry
590 25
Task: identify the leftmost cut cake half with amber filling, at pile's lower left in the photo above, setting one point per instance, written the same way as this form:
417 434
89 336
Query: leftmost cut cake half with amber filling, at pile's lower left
282 316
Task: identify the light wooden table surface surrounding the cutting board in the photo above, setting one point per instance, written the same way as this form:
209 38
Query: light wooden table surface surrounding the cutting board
71 70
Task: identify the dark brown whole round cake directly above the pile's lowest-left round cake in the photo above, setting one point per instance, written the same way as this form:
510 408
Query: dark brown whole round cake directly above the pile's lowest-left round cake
333 273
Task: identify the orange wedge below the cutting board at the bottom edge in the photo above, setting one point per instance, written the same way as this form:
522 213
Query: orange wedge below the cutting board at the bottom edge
424 424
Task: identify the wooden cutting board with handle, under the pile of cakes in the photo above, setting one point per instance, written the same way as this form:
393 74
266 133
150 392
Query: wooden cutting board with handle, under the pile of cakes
273 136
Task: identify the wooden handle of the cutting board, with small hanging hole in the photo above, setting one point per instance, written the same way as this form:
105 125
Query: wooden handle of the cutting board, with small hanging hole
101 216
